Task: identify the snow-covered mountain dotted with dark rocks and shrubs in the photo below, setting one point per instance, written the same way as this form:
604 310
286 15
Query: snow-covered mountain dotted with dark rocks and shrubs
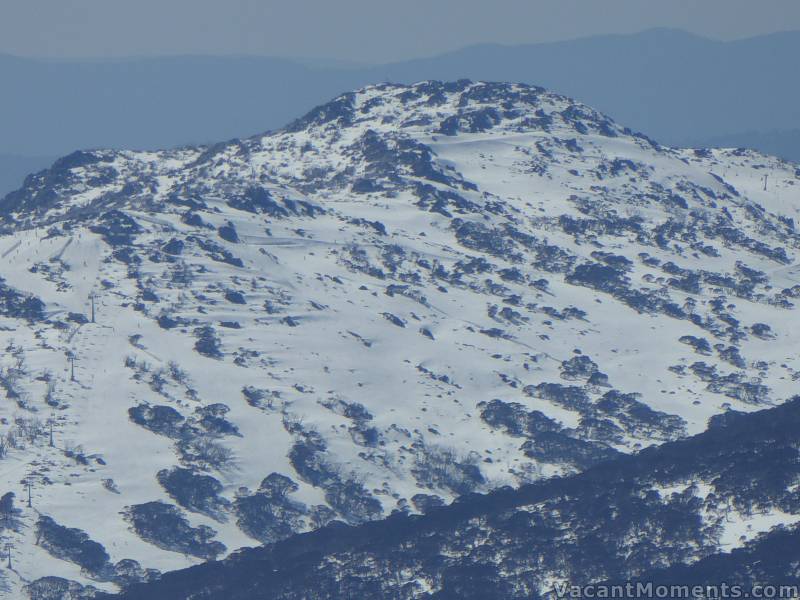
409 294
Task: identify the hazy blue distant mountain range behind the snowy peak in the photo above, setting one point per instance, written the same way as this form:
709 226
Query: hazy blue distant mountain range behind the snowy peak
676 87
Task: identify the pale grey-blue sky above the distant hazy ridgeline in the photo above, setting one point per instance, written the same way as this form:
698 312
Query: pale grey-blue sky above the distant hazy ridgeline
358 30
